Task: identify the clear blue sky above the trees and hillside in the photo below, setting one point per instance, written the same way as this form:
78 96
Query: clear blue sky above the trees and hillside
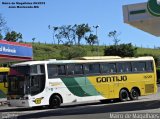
108 14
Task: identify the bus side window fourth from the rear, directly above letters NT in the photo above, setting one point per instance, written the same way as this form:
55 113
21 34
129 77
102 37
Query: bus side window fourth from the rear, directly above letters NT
108 68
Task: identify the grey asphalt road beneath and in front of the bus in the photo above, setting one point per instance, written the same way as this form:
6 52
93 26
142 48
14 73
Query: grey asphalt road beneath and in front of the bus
94 110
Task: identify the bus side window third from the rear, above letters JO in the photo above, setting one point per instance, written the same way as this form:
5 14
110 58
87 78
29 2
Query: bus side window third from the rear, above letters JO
123 67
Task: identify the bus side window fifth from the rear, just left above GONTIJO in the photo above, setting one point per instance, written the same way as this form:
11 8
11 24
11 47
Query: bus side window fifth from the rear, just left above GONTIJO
92 68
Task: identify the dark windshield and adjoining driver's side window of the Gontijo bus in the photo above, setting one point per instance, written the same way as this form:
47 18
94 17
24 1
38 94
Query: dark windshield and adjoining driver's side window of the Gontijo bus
26 80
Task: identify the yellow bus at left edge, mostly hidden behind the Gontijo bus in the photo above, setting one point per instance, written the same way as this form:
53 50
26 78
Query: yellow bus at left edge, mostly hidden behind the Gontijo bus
3 81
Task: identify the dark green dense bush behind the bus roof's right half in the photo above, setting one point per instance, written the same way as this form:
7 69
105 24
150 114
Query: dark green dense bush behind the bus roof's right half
123 50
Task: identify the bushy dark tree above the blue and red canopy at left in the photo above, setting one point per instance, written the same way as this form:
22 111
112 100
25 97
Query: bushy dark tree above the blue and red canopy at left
13 36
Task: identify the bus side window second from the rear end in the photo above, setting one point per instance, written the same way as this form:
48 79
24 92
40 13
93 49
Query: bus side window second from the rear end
139 66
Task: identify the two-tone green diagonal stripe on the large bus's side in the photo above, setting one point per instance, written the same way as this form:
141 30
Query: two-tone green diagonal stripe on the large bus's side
80 86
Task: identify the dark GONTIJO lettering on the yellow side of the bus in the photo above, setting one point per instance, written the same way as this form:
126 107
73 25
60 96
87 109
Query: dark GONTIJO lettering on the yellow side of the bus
111 79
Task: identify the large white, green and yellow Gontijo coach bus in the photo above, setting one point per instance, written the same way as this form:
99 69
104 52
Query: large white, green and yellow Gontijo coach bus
53 82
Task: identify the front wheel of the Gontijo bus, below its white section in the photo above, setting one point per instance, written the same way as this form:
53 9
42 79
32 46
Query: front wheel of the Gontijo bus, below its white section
55 101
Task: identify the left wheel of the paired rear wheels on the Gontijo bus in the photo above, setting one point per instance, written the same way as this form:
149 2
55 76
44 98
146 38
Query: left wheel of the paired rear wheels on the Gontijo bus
123 95
